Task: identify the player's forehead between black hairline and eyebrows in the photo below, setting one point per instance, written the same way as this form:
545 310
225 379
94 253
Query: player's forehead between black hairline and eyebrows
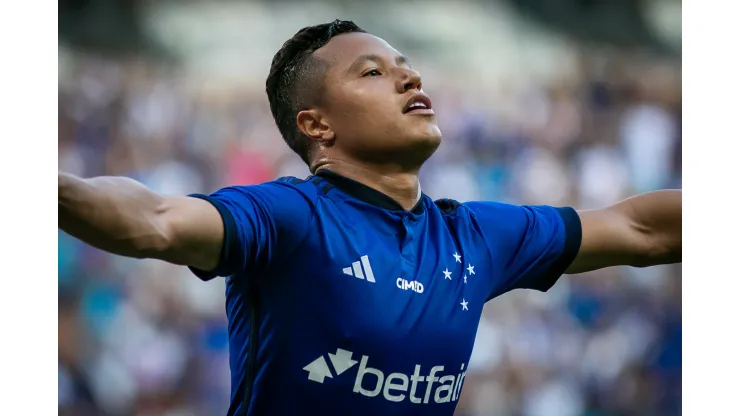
343 50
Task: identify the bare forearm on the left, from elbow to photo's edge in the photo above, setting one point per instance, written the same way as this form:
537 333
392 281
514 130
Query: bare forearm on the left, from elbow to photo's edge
115 214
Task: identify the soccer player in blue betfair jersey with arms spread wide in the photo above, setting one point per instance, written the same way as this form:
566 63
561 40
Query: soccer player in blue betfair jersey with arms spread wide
350 292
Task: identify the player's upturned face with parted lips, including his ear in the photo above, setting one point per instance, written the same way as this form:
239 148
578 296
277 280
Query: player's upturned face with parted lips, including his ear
373 107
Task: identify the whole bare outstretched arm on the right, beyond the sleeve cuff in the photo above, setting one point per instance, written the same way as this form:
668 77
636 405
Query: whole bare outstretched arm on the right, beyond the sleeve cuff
641 231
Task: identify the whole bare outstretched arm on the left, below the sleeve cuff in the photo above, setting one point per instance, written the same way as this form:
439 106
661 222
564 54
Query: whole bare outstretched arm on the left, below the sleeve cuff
122 216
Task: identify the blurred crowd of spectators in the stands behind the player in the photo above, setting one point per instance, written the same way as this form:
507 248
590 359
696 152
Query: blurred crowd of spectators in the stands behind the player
146 338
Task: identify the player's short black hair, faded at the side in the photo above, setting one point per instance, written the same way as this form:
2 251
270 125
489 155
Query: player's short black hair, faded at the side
296 82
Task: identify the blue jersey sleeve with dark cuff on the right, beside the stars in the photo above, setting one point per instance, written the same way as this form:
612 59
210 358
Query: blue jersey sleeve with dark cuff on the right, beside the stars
531 245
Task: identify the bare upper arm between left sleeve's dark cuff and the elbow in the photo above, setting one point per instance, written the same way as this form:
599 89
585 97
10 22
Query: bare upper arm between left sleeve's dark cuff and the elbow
194 232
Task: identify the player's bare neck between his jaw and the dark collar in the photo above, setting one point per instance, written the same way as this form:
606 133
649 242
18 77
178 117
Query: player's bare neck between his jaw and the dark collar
403 187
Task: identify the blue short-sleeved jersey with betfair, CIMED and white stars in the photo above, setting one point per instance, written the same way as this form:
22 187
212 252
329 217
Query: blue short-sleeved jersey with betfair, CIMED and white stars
340 302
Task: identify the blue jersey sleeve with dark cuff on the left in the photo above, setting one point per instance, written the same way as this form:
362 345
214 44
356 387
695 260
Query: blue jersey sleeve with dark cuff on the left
260 223
